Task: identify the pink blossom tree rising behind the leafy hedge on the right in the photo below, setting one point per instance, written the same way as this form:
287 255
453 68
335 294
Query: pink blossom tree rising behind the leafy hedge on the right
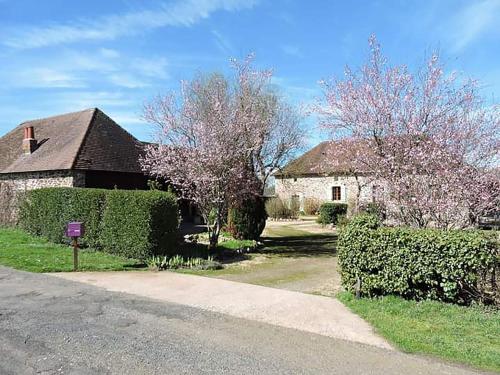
432 141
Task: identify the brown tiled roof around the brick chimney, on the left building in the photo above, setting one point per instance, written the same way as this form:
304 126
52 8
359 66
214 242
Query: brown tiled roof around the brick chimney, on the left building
86 140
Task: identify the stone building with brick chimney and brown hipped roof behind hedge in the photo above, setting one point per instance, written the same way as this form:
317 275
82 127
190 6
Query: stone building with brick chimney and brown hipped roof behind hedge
80 149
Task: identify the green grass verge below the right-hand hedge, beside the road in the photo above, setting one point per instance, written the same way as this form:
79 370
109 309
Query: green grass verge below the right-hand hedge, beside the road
463 334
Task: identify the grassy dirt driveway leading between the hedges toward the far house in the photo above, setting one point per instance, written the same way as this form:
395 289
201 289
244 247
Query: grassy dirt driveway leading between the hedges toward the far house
297 255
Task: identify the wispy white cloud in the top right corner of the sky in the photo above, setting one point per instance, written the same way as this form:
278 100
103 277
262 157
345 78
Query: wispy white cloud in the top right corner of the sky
471 22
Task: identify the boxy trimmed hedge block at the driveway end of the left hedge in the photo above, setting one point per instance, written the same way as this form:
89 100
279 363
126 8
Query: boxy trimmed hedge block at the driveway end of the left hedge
139 224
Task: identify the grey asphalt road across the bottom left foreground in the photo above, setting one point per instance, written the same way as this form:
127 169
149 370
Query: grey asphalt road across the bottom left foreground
52 326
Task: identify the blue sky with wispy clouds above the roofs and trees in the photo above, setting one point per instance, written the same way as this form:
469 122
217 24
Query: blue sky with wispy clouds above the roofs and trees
60 56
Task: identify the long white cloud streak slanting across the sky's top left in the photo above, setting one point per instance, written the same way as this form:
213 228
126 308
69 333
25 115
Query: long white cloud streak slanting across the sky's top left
178 13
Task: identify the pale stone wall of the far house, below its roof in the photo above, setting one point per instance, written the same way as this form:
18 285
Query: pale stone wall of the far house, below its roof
321 188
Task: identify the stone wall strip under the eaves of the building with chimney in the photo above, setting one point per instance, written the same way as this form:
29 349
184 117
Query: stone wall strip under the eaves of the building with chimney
35 180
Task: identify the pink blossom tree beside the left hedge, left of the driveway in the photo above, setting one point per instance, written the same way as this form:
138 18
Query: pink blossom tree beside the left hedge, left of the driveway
217 140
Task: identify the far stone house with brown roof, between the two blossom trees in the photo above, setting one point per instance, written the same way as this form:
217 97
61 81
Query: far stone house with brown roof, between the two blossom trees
313 175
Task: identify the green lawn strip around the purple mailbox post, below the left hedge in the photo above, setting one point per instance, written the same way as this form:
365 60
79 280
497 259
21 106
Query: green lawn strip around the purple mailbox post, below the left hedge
24 252
